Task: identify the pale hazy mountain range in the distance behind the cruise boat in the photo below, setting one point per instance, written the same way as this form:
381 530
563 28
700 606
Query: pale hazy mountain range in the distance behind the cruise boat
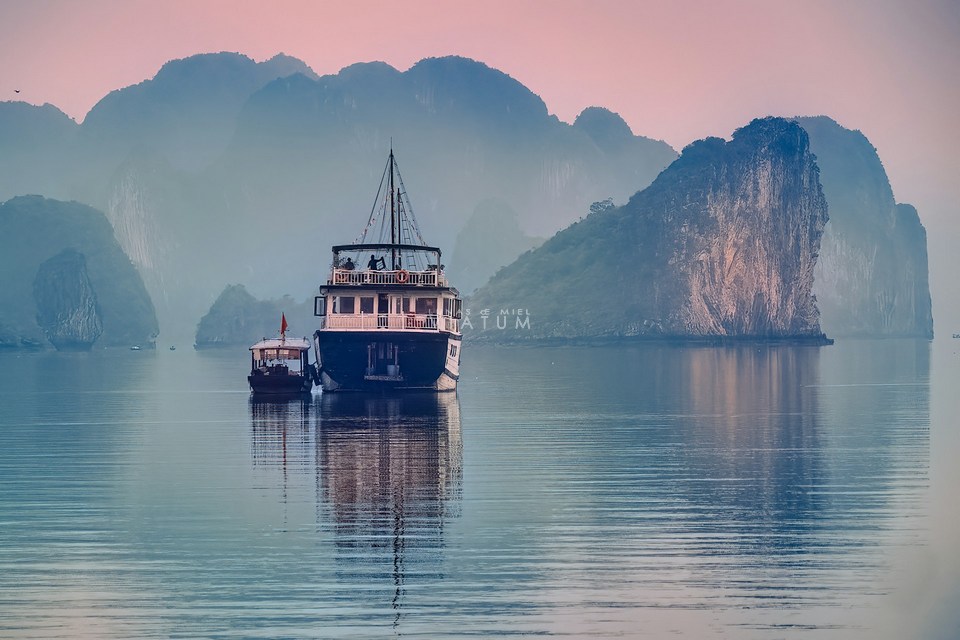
222 169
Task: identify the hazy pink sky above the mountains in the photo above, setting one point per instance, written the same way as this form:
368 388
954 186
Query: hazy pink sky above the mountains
676 70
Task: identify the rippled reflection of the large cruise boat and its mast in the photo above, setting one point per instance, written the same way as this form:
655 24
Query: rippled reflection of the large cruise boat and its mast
393 480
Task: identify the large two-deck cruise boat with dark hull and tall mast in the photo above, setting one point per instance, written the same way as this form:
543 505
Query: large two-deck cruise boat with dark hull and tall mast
389 319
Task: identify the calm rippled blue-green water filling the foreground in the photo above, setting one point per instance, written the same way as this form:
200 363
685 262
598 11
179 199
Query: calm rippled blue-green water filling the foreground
580 492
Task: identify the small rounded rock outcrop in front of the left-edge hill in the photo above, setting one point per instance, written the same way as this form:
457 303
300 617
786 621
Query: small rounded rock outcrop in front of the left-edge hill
67 309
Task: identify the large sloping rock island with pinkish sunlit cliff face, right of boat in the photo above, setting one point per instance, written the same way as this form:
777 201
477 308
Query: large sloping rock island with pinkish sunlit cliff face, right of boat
723 244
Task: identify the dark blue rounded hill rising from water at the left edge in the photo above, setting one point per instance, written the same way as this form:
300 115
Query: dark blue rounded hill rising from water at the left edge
66 279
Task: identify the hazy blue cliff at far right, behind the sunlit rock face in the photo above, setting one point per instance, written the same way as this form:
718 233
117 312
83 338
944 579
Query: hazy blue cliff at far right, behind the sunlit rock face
871 279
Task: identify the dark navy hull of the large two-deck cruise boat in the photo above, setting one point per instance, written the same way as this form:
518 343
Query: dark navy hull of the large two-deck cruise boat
345 359
